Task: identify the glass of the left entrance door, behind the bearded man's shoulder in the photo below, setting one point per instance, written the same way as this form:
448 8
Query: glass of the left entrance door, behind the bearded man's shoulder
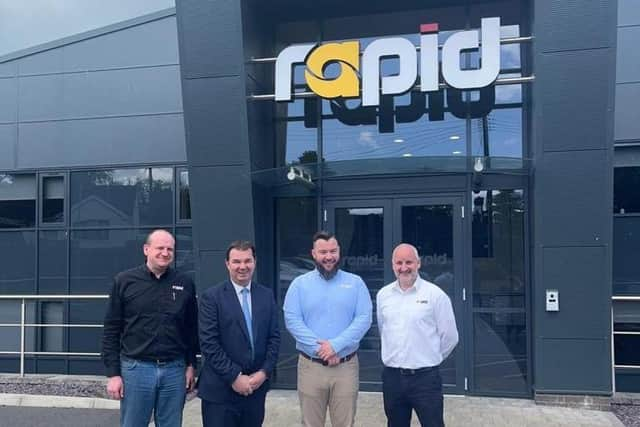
360 233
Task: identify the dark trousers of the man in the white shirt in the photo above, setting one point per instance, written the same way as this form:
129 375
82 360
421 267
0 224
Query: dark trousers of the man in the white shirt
421 391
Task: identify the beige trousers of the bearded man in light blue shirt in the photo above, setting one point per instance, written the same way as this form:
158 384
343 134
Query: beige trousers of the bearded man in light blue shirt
335 387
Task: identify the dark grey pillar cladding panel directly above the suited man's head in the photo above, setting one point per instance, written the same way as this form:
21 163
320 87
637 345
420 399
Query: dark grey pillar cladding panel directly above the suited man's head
221 201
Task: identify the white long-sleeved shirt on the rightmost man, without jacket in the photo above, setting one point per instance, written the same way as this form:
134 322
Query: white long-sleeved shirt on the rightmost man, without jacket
417 326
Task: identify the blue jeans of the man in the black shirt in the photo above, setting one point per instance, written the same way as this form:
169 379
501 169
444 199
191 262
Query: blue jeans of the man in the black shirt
152 388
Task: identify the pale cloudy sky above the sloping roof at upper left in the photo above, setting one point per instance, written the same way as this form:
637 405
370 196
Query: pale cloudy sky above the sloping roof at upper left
27 23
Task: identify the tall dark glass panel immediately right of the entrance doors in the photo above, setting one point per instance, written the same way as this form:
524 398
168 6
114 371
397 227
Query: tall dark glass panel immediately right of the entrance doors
499 292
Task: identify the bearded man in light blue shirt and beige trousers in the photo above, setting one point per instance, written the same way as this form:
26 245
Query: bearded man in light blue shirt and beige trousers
327 311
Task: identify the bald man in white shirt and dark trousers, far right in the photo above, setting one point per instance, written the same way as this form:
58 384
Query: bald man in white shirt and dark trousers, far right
418 332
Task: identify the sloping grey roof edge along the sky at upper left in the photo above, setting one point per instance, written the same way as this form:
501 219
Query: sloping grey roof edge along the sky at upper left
143 19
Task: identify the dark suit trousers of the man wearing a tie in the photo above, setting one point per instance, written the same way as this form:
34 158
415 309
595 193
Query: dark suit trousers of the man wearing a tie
240 412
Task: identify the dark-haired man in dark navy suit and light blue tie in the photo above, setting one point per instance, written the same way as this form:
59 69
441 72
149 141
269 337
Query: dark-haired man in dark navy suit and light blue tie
239 341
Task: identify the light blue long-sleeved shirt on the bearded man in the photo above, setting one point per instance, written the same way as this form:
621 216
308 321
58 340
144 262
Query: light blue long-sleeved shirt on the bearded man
338 310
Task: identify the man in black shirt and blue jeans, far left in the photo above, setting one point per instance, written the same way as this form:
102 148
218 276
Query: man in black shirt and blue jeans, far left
151 338
